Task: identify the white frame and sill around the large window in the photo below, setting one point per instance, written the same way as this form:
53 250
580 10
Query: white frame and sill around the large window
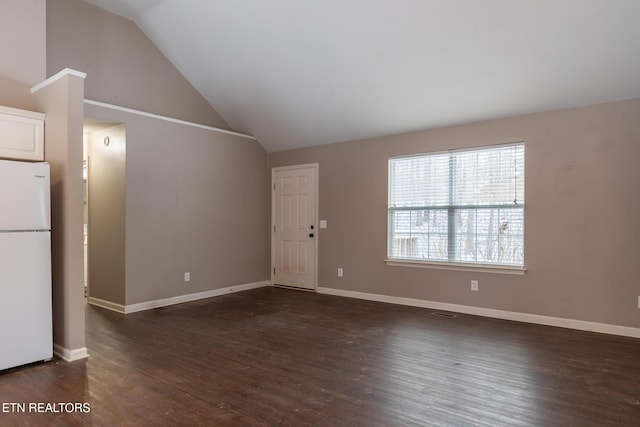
447 264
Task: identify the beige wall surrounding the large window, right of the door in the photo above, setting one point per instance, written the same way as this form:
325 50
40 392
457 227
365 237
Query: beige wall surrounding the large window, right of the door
582 205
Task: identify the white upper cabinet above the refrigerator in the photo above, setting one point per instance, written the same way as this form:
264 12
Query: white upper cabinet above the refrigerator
21 134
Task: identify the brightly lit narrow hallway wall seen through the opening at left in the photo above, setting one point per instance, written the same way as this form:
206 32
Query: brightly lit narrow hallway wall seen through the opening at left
107 184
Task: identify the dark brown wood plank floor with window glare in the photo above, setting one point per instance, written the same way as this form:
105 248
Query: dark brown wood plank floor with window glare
281 357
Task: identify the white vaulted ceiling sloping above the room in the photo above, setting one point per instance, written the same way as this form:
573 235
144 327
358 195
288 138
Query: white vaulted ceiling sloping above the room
297 73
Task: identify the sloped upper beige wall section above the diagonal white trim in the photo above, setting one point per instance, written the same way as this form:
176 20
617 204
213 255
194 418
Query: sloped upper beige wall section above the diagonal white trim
123 67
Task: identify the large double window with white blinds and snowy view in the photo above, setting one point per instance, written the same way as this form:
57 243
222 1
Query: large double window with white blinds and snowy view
458 207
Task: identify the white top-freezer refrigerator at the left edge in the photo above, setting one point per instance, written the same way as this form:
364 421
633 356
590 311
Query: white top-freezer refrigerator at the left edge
25 264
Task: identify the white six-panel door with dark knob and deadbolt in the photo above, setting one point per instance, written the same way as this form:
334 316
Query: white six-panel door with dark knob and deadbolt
295 228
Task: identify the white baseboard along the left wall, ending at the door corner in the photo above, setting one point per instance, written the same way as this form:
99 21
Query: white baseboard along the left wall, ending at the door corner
149 305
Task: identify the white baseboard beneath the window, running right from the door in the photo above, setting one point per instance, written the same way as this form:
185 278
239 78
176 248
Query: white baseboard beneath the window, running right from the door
488 312
